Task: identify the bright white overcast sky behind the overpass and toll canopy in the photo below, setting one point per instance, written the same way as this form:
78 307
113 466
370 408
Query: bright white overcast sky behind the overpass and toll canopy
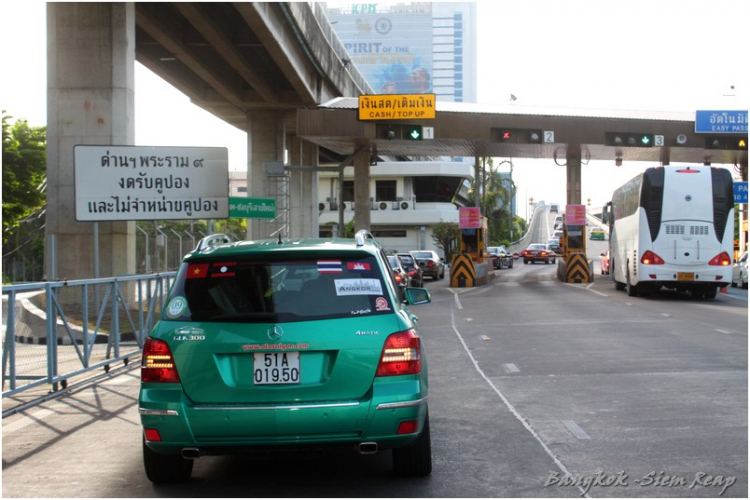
664 55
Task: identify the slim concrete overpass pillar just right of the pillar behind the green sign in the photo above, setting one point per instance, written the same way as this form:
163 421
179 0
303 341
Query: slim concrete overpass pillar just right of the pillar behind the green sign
303 200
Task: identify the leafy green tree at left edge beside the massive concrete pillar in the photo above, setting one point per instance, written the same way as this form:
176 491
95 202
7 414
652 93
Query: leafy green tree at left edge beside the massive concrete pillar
24 198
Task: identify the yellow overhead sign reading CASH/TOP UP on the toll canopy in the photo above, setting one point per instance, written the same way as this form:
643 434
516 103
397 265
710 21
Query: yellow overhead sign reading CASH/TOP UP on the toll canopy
397 107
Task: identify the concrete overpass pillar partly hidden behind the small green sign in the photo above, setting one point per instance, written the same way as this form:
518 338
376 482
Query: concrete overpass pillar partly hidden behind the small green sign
265 144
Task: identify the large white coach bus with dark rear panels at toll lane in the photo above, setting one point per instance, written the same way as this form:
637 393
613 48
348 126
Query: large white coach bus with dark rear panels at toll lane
672 227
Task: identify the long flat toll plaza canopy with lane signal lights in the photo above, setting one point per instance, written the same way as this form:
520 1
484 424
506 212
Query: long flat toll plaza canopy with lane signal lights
478 130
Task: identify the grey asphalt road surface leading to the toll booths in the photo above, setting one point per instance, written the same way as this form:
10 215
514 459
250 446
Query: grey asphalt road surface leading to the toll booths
530 379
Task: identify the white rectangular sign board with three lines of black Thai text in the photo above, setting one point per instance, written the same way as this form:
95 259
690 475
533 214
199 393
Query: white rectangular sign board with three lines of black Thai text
150 183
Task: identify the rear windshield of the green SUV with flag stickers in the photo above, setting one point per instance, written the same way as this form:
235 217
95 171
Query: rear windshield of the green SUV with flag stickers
211 290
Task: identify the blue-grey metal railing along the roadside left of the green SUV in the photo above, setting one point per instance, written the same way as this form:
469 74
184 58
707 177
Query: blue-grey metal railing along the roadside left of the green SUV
53 332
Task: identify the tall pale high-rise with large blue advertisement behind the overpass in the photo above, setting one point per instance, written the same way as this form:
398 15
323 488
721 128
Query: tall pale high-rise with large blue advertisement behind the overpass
408 48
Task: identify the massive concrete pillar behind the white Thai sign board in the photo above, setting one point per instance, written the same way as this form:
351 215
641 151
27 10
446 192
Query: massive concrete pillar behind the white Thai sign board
90 100
